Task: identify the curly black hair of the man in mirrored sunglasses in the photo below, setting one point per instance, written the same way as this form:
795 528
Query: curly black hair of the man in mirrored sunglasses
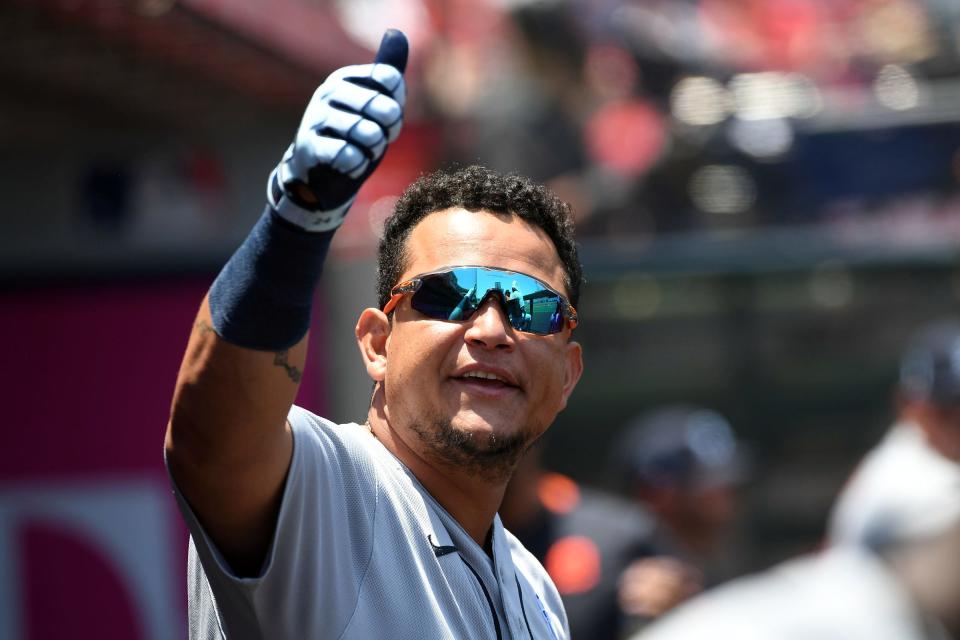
476 188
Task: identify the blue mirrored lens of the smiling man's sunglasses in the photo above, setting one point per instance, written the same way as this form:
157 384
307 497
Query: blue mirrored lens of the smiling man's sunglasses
456 294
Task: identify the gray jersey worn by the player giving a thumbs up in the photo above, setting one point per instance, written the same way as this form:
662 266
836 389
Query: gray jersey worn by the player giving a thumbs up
362 550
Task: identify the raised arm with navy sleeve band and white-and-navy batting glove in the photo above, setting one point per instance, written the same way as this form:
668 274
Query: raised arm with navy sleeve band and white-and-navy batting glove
228 446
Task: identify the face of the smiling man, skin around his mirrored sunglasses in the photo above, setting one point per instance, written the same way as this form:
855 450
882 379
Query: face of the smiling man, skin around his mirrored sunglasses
441 412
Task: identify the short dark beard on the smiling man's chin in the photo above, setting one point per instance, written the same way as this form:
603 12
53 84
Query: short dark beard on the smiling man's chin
493 458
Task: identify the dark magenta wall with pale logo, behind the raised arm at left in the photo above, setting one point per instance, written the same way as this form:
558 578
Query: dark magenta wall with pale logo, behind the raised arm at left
91 545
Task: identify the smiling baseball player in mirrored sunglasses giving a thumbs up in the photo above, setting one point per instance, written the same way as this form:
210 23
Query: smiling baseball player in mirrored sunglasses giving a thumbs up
301 528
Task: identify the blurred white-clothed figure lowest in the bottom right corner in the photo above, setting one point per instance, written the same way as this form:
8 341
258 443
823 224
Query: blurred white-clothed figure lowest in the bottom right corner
845 592
